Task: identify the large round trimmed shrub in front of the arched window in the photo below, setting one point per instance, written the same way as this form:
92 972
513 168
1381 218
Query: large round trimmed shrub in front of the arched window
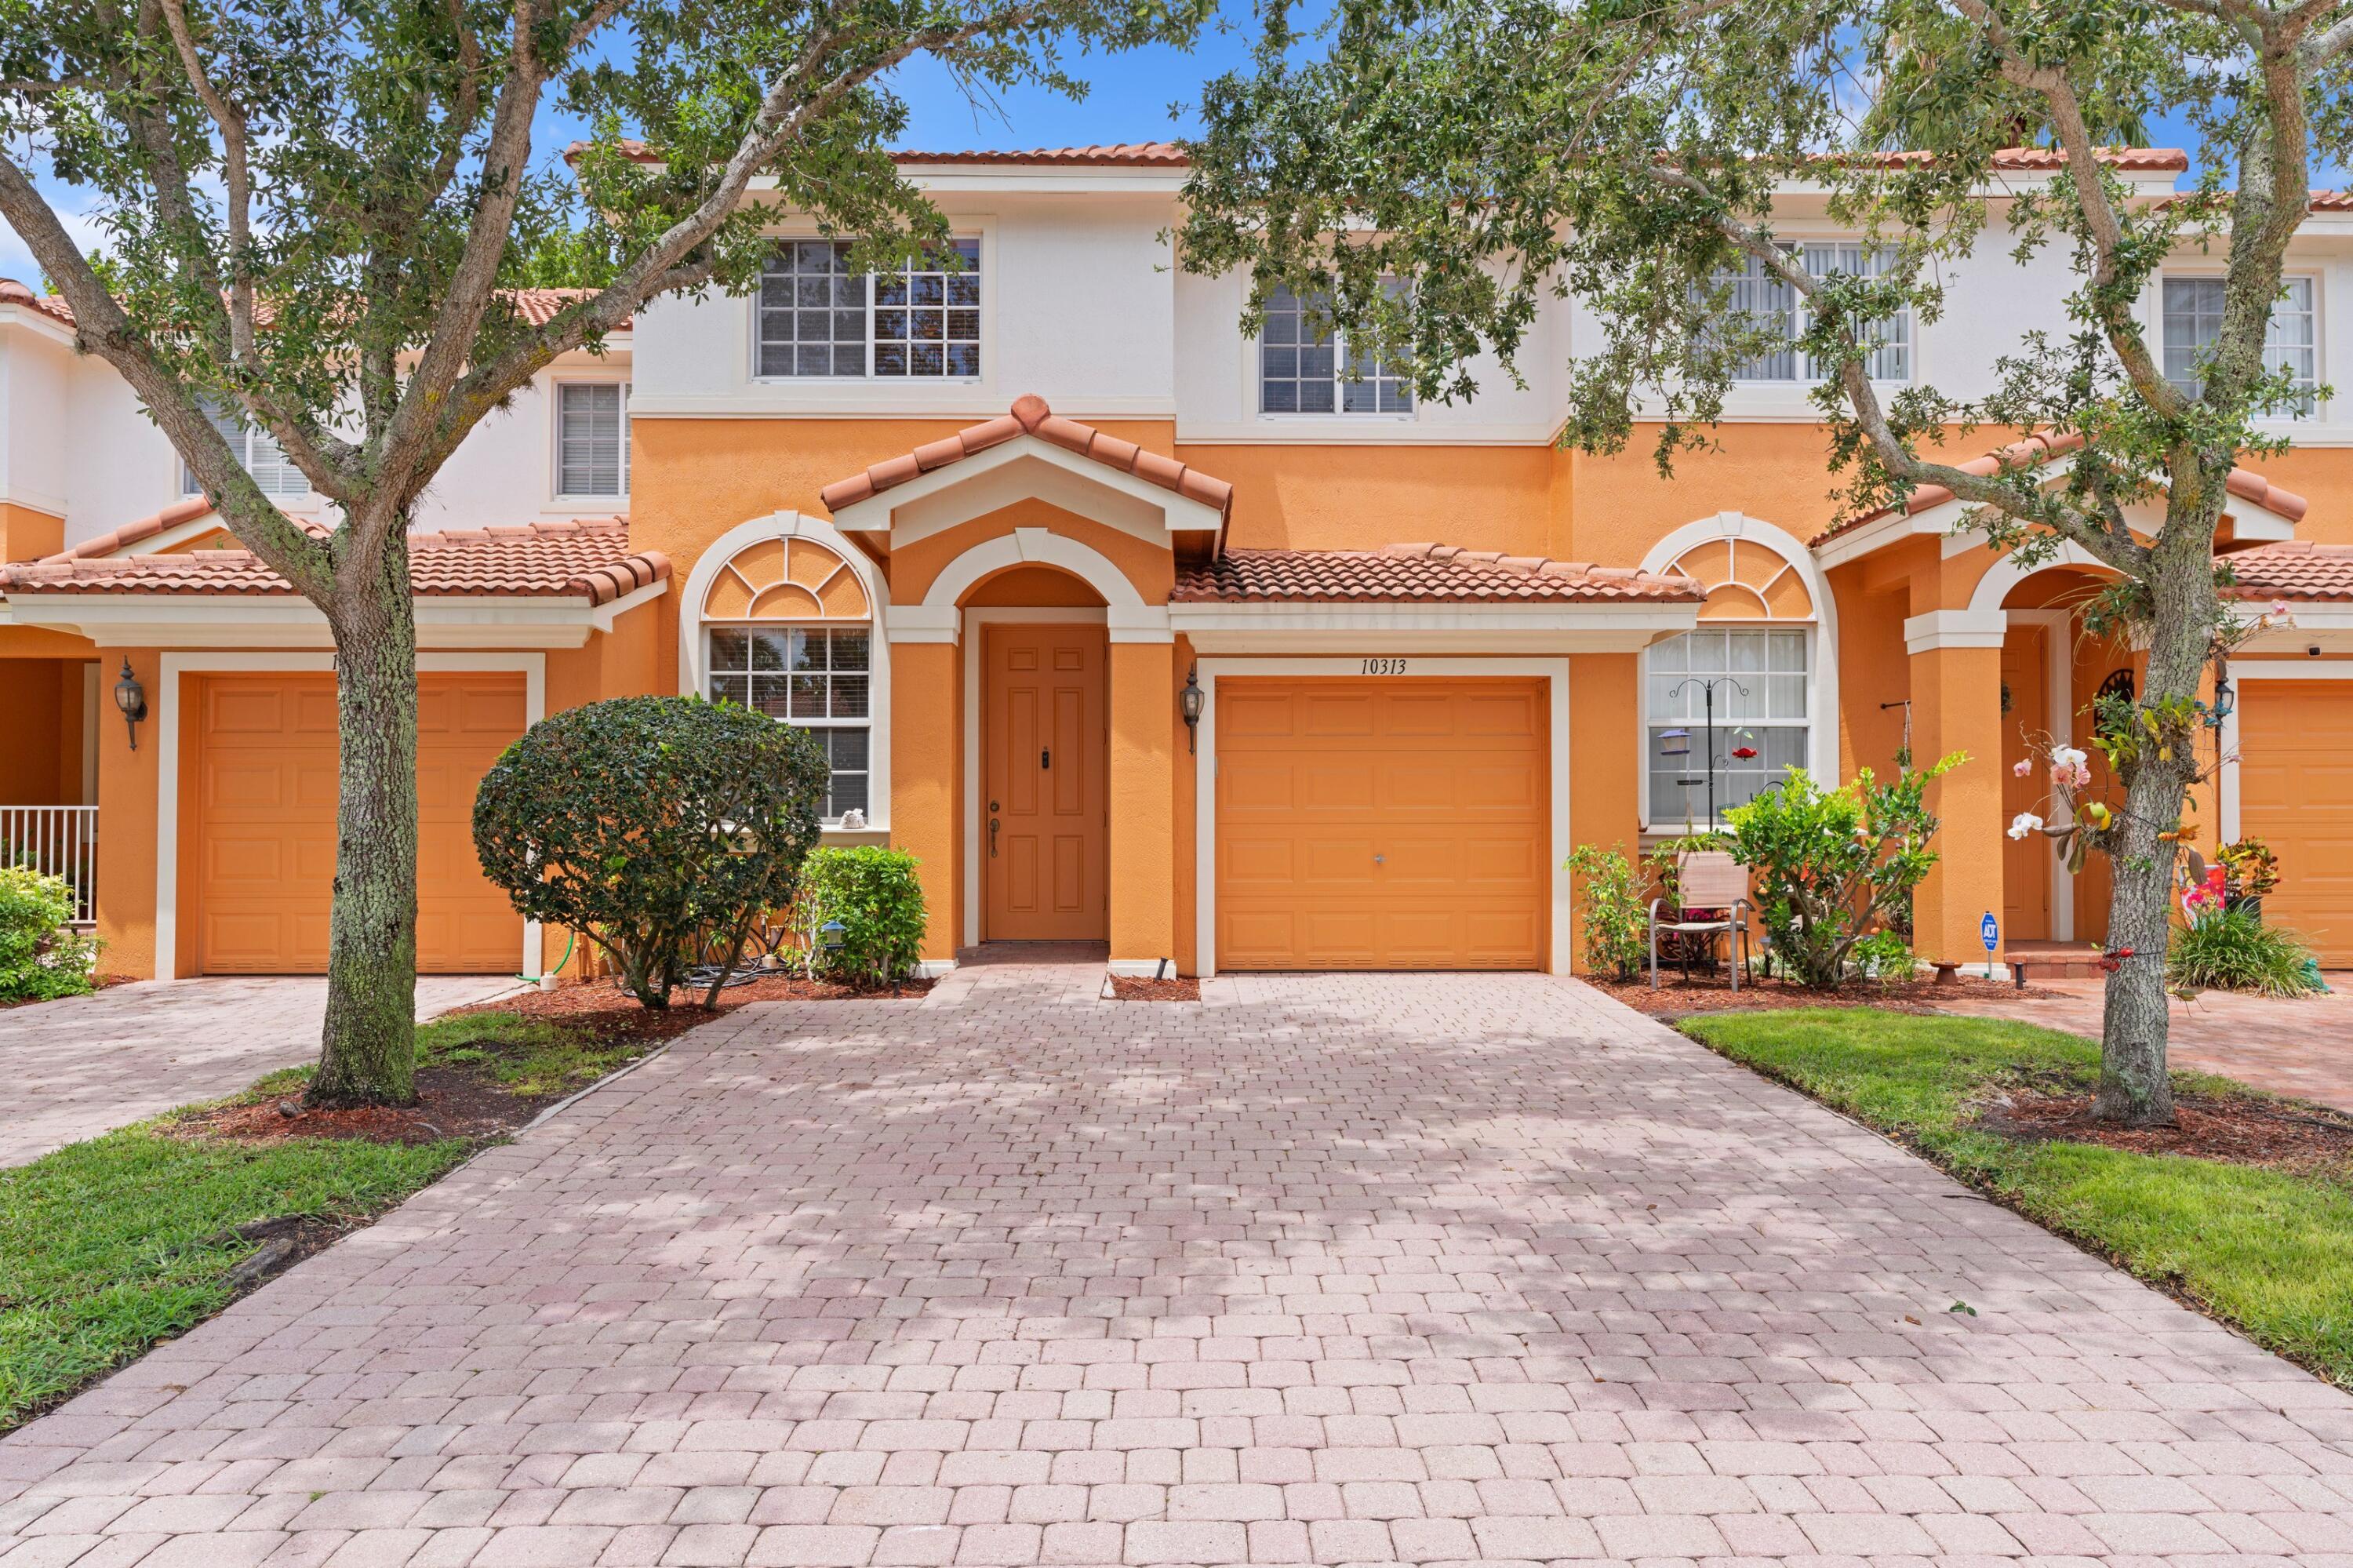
658 828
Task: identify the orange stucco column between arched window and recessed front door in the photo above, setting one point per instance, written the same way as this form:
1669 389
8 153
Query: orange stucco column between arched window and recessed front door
926 729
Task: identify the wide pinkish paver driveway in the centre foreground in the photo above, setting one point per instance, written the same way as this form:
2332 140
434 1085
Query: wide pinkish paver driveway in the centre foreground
1333 1270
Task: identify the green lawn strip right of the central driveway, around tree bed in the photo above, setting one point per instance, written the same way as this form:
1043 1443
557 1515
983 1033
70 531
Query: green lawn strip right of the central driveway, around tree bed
2260 1249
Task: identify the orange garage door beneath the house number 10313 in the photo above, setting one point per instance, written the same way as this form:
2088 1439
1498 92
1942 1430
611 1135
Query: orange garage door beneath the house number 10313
1382 825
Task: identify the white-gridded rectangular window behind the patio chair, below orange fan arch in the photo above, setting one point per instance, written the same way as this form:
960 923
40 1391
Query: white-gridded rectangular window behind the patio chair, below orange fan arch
1761 707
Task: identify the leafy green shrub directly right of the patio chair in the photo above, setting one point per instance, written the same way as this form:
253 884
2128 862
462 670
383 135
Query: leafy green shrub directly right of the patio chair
1832 865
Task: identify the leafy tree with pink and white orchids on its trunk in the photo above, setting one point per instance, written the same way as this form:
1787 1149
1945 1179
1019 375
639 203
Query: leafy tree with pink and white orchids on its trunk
1486 154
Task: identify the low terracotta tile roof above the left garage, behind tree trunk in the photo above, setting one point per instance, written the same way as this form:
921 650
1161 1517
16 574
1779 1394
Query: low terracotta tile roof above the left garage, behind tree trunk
531 559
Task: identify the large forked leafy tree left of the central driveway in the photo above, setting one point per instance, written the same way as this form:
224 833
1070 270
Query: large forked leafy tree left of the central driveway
314 220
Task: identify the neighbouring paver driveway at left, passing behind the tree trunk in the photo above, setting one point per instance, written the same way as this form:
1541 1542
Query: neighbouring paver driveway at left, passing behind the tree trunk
86 1065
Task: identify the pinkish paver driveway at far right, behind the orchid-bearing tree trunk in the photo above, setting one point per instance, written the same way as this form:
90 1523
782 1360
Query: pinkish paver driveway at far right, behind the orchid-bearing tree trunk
2300 1049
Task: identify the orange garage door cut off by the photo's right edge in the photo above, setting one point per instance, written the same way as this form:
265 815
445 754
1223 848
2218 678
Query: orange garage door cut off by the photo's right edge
2295 778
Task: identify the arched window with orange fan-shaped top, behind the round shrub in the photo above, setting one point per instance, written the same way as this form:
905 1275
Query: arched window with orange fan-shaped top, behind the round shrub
789 632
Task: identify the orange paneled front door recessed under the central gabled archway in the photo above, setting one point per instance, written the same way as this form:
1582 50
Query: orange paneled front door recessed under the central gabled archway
1046 832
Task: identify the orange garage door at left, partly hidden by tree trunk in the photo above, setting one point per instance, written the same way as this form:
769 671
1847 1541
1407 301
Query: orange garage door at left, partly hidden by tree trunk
262 825
